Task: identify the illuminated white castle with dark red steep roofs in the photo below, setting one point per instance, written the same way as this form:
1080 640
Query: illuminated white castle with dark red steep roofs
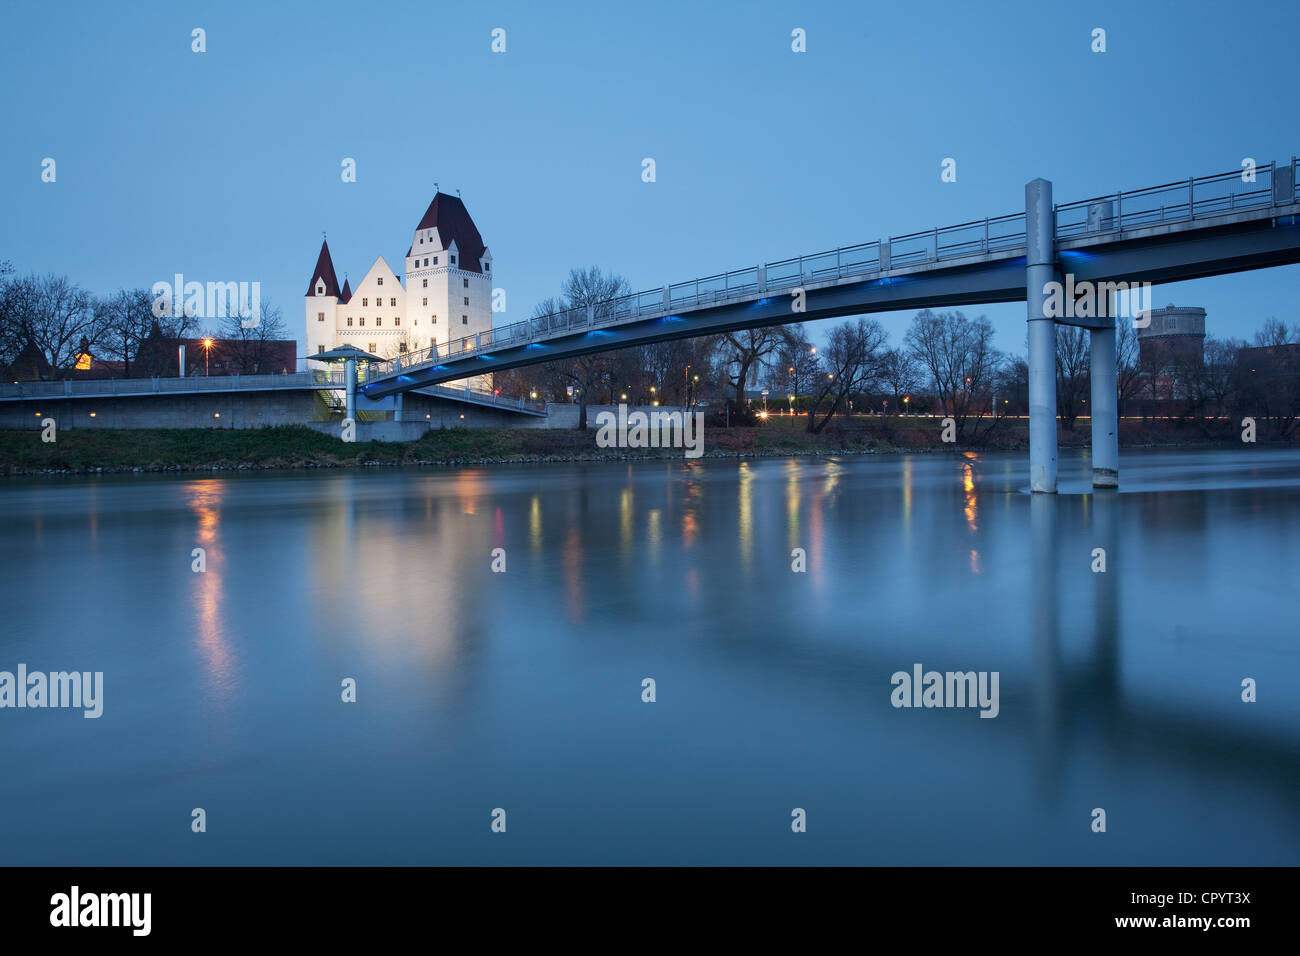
448 292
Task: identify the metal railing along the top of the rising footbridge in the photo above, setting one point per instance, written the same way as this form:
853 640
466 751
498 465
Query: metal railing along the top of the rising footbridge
1173 202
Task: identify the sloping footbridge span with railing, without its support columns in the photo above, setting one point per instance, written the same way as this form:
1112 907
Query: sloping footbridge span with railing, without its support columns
1123 236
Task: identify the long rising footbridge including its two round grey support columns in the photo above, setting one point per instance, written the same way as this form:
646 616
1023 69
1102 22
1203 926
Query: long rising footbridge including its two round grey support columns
1180 231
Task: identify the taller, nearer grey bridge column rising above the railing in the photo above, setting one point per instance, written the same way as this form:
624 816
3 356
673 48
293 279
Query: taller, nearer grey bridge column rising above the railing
1039 271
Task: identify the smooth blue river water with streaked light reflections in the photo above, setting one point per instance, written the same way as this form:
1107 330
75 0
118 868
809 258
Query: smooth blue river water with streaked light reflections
522 691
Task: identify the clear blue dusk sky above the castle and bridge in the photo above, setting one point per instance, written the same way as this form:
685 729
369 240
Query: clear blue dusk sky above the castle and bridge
226 166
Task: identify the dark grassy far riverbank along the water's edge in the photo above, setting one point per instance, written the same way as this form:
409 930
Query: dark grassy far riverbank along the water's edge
83 452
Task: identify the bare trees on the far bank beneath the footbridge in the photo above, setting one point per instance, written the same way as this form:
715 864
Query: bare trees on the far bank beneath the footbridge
946 364
